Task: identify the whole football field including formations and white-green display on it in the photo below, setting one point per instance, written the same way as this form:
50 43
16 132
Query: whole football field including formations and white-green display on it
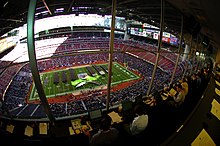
73 80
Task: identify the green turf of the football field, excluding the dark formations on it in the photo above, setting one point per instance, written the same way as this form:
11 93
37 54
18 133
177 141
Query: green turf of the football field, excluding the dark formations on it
119 75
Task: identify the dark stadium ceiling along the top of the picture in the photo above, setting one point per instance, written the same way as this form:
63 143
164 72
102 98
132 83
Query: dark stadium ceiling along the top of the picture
199 16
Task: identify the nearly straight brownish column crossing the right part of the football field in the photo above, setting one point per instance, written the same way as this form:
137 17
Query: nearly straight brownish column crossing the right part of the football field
111 47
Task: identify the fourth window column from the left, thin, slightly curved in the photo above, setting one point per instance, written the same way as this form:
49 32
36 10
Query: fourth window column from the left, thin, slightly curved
178 55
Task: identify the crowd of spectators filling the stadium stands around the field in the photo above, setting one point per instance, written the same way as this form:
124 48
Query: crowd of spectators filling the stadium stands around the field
21 80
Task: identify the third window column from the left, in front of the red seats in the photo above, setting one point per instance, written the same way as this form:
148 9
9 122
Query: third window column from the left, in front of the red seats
159 46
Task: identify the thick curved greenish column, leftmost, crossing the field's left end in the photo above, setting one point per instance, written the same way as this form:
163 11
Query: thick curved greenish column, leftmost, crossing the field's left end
33 61
